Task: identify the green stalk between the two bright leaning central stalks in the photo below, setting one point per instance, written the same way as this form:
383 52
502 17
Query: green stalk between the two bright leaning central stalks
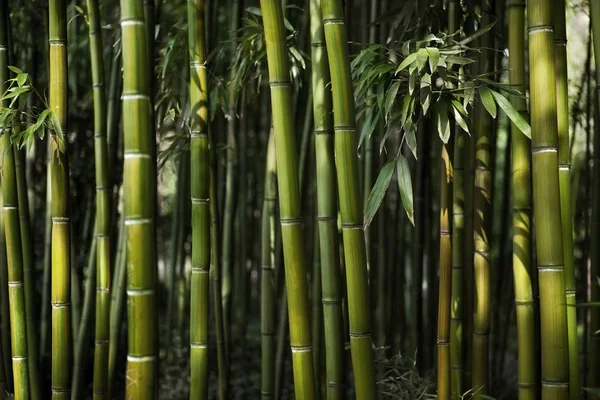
331 284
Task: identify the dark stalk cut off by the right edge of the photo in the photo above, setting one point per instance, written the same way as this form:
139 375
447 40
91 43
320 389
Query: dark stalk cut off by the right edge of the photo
593 361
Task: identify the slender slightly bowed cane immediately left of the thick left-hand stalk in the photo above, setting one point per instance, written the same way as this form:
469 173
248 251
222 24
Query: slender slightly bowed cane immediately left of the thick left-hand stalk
103 206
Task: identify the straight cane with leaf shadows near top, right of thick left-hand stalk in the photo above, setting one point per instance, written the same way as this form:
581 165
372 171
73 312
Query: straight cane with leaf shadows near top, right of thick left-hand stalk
200 186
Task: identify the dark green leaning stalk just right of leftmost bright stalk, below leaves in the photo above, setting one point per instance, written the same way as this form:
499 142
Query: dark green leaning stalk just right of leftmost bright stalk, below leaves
28 273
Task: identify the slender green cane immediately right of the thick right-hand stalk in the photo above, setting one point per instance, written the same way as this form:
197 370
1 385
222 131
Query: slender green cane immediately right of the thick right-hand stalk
564 175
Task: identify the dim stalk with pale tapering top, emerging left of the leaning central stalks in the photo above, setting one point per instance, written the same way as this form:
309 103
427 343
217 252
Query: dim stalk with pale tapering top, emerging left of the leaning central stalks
267 287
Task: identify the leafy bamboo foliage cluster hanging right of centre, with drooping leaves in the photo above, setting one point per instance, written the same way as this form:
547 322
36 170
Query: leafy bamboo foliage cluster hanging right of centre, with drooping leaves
430 81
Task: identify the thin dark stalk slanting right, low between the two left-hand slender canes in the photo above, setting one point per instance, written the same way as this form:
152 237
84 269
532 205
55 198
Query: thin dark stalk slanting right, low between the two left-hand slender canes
81 340
